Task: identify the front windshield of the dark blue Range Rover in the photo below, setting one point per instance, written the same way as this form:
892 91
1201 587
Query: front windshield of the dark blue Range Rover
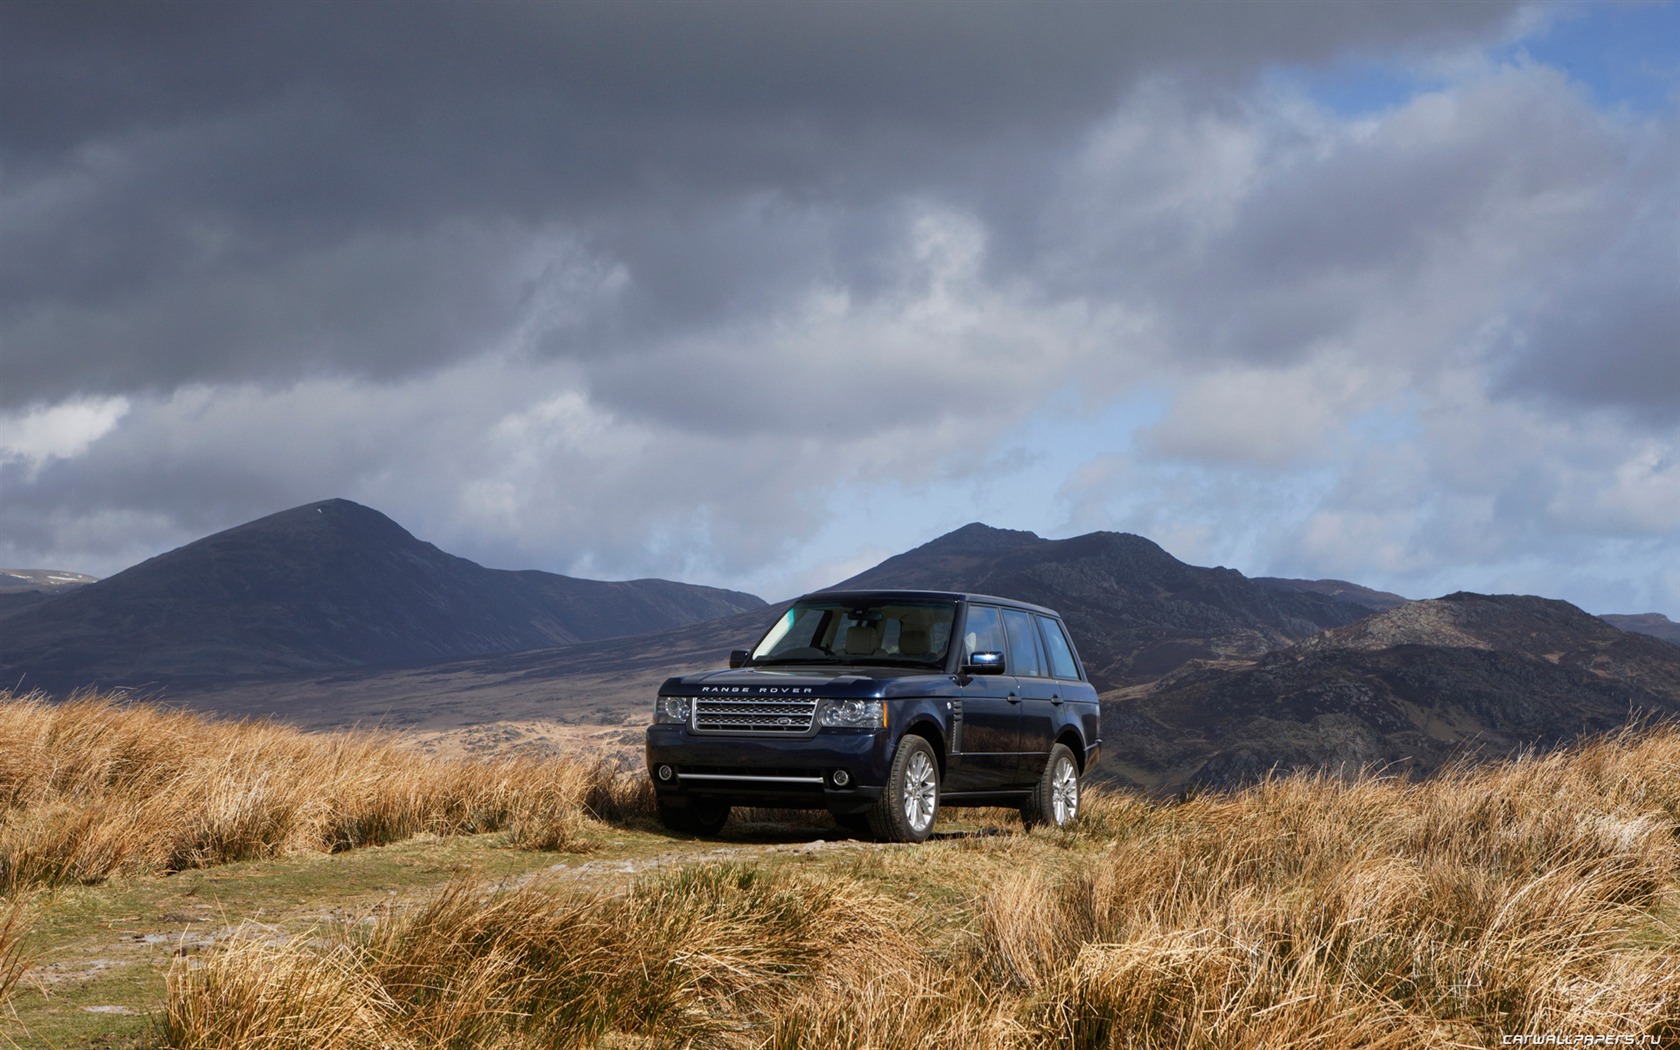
859 633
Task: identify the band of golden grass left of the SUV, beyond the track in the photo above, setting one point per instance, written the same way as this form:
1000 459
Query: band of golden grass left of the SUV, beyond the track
95 787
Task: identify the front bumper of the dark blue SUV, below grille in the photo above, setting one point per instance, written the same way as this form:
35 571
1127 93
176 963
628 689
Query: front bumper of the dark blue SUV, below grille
767 772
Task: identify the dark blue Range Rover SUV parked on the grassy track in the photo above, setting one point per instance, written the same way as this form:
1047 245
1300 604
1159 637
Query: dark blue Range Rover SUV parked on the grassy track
883 706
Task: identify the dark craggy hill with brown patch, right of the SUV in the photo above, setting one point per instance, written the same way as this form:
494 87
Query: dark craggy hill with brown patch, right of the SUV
1405 691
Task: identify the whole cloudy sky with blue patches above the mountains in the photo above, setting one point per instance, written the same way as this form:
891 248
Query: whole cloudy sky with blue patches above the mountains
759 295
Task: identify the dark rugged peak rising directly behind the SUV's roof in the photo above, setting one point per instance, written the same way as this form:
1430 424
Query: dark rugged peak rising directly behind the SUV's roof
1135 611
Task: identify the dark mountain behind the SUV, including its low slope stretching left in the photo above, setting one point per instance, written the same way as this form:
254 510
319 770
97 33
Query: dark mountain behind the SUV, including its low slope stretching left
1135 611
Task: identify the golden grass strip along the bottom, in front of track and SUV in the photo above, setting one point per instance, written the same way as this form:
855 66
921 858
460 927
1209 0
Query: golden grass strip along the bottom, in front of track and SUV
1525 898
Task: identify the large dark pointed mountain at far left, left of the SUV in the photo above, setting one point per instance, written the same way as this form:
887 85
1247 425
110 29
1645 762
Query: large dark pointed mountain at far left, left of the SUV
328 585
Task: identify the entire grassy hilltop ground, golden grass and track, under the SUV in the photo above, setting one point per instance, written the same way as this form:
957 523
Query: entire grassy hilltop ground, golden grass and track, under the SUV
179 883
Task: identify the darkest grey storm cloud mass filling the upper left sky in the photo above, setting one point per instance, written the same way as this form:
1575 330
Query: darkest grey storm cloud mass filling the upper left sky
275 191
